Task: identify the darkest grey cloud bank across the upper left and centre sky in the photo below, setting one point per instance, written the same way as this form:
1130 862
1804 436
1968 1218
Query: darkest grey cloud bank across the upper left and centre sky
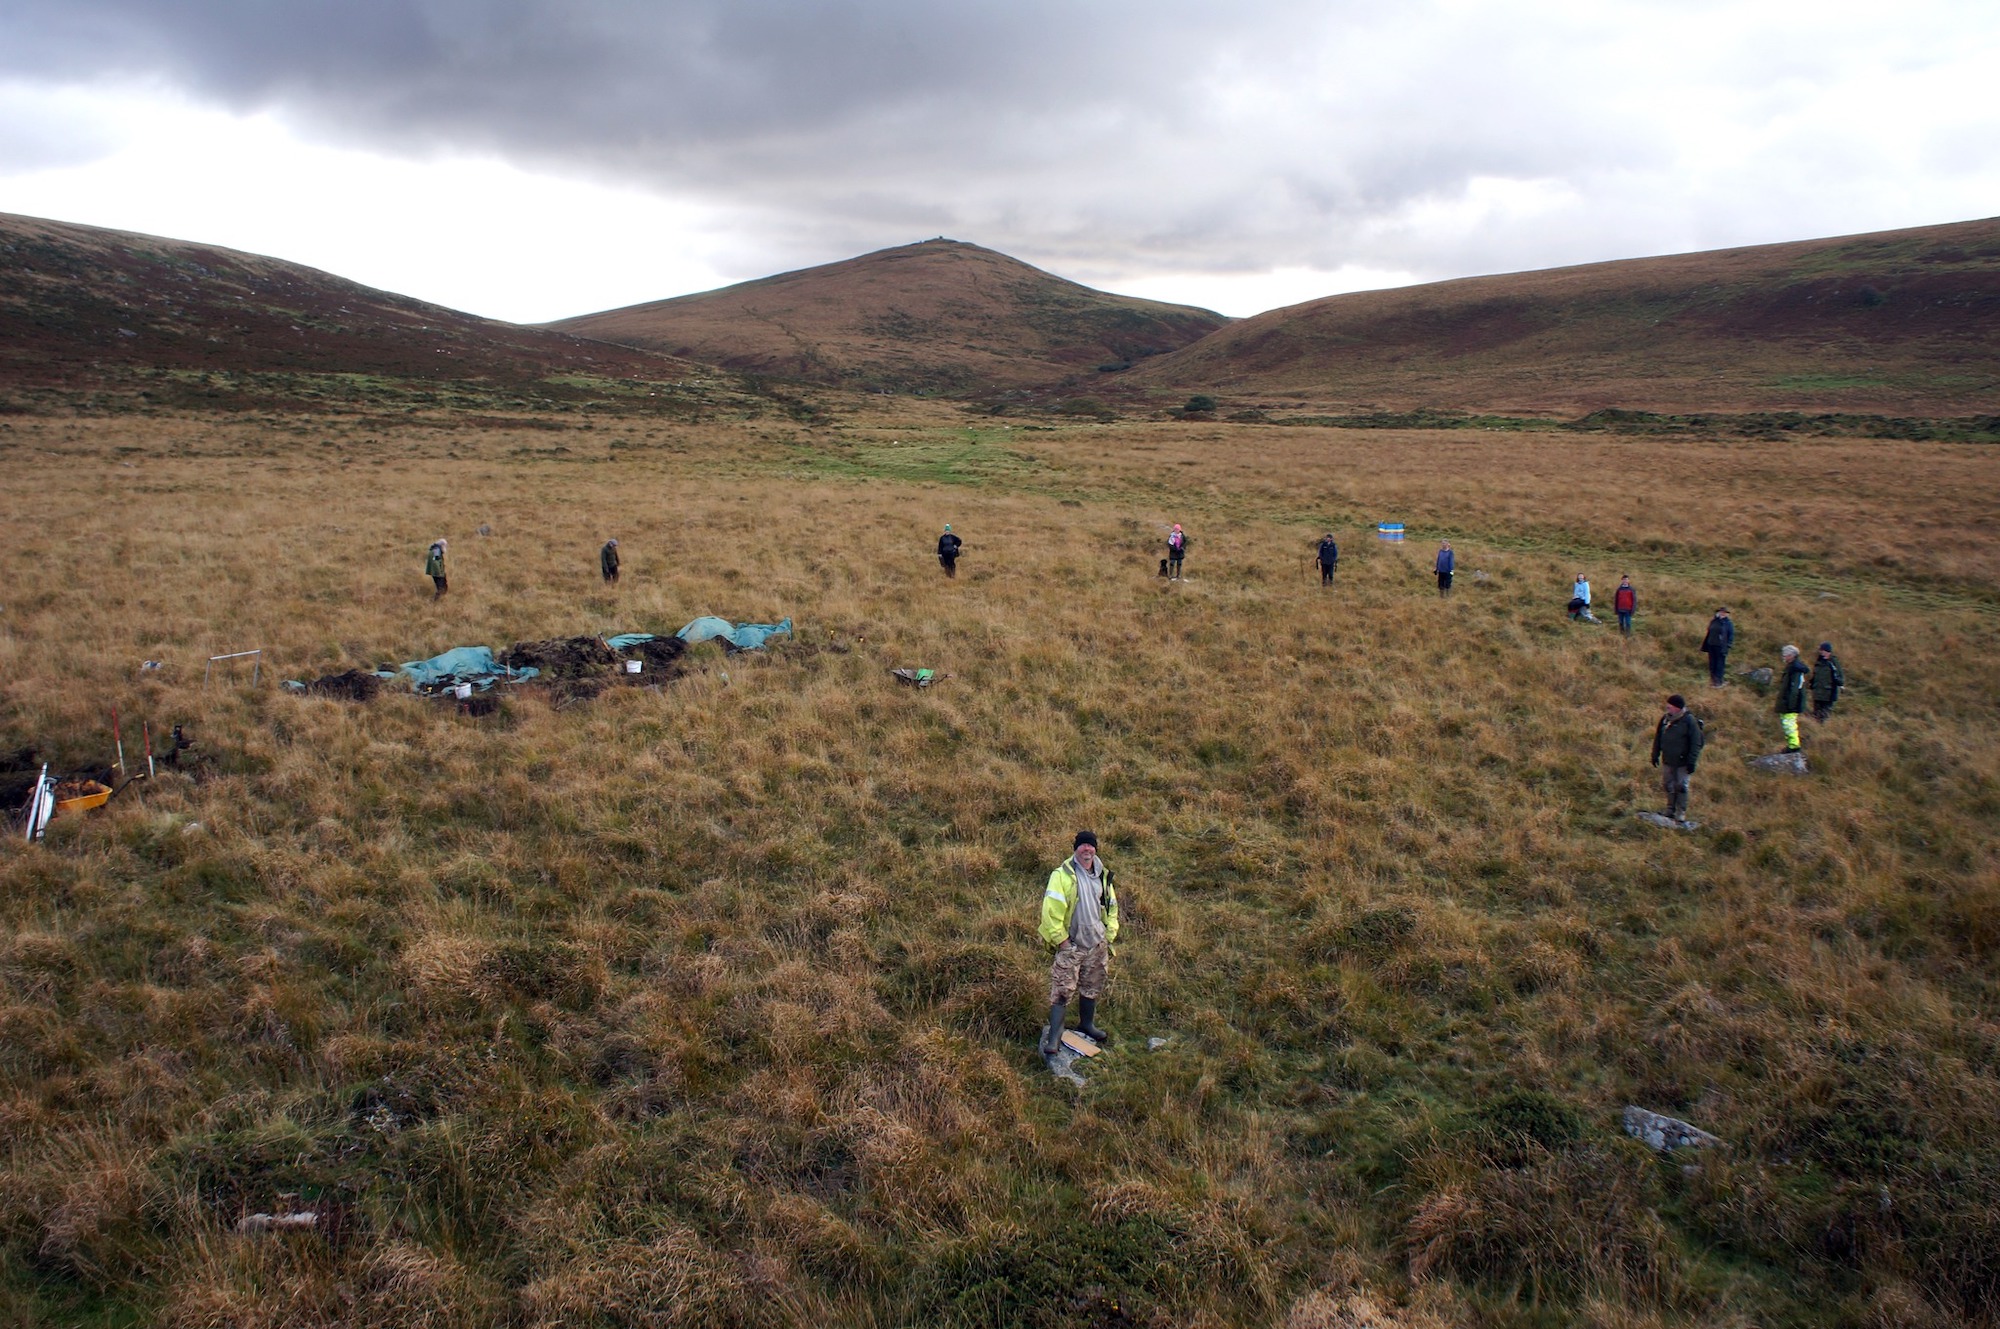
651 83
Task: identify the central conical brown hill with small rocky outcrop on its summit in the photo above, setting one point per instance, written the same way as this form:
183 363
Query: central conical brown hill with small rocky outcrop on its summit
935 317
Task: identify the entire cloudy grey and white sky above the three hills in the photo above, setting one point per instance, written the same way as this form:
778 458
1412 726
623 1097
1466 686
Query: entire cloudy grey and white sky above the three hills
535 159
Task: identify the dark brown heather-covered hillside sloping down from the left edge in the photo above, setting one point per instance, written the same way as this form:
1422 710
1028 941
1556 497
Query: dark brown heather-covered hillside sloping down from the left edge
103 311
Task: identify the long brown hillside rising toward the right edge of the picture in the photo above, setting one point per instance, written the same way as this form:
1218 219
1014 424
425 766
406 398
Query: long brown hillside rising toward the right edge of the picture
1895 323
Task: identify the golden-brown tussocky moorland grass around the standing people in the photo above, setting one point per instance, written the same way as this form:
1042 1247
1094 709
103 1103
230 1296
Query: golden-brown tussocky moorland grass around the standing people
715 1004
